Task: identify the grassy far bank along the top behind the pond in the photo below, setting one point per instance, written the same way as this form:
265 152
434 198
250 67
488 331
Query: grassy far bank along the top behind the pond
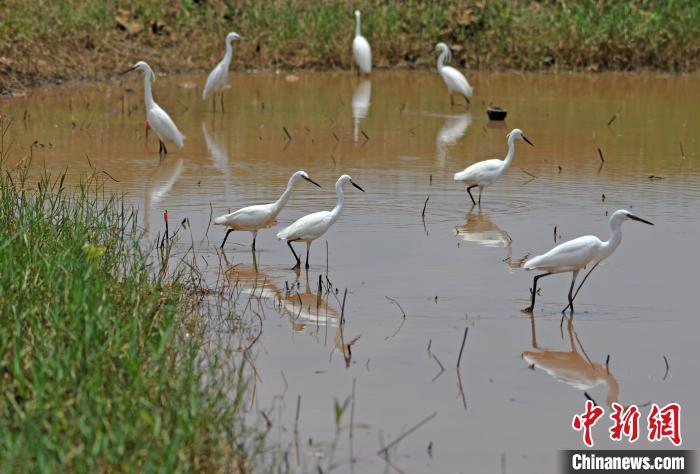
69 39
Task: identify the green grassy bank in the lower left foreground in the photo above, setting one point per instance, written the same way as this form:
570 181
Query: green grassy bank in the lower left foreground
96 371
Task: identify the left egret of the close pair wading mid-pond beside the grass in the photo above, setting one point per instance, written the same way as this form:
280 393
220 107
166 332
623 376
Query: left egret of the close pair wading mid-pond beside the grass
261 216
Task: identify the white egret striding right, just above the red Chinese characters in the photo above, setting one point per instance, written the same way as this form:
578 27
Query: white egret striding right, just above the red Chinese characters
576 254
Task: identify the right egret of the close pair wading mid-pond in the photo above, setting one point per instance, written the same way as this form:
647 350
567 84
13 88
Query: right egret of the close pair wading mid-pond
312 226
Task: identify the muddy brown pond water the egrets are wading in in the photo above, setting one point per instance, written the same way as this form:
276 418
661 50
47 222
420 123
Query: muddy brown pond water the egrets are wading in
451 271
